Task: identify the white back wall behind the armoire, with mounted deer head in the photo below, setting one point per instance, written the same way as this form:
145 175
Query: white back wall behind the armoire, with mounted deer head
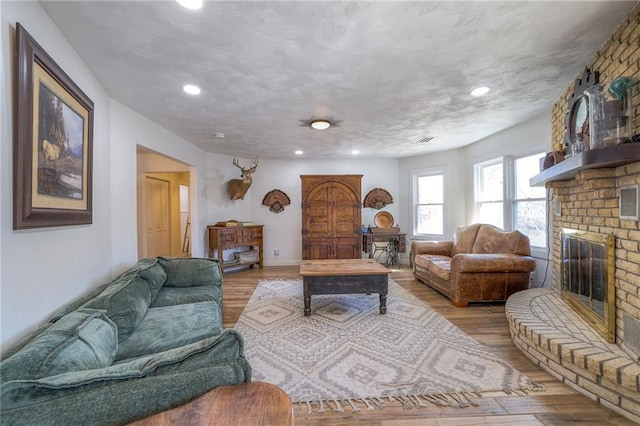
282 230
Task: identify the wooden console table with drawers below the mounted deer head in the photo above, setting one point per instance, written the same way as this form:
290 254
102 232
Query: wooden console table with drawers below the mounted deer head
227 237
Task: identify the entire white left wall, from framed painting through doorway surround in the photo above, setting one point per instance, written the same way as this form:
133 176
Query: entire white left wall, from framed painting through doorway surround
42 269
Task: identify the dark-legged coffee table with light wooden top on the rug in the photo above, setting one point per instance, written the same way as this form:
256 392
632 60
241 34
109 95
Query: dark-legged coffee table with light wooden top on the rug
344 276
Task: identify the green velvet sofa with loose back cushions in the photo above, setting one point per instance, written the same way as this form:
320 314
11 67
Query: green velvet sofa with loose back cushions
145 342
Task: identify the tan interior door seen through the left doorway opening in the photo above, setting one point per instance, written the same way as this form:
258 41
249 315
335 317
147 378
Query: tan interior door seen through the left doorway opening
157 217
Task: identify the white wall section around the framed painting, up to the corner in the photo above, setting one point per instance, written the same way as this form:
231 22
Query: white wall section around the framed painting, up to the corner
43 269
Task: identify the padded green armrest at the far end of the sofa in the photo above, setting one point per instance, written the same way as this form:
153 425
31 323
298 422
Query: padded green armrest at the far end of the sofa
190 272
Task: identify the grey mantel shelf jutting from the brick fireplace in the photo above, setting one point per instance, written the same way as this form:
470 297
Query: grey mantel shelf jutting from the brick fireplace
613 156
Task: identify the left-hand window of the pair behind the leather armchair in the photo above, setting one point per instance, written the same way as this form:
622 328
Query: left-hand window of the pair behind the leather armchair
490 193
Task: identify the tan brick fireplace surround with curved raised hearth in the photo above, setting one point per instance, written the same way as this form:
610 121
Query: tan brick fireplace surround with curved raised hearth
543 325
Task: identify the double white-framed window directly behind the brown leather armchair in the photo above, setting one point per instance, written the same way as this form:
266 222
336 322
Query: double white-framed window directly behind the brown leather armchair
504 198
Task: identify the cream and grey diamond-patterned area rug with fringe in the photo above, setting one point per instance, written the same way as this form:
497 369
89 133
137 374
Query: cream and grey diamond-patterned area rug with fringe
348 355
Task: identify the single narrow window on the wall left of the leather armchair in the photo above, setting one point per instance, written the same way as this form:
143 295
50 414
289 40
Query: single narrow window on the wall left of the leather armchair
428 203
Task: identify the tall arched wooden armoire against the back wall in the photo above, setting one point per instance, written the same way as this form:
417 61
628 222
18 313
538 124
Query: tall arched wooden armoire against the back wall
331 216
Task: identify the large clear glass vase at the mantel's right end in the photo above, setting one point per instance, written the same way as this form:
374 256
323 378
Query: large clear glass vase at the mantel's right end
610 112
